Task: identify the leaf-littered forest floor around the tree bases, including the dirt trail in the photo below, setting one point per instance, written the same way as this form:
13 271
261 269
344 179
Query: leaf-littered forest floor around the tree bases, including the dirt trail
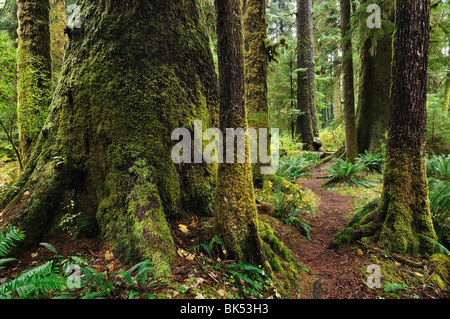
201 270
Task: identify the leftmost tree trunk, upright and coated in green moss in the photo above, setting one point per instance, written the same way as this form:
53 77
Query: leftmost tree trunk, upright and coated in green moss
34 71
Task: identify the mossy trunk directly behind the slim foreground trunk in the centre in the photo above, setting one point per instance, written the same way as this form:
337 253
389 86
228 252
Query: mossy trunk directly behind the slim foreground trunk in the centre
256 70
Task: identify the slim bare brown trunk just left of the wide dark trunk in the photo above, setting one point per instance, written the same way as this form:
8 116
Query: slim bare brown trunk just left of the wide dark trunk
351 147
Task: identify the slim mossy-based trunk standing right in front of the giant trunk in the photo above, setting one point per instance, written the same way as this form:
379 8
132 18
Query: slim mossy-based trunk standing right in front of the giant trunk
235 213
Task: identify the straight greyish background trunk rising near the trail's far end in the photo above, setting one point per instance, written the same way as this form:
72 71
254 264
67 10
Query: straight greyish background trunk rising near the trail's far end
306 125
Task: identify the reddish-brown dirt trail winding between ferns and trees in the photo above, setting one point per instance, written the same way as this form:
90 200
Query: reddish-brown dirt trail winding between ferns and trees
336 271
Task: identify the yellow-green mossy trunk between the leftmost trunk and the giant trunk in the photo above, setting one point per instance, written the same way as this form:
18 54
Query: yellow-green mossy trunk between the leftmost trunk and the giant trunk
58 40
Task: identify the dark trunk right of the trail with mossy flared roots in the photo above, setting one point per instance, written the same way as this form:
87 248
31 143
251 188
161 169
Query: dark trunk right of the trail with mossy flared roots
403 214
